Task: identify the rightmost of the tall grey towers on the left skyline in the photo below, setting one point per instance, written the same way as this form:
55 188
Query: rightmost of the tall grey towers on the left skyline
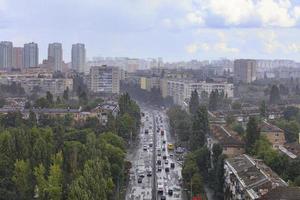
78 57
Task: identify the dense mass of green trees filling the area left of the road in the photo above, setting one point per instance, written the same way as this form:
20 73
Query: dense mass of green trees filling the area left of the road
54 158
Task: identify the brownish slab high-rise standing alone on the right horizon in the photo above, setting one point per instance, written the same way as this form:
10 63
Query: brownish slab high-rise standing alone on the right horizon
245 70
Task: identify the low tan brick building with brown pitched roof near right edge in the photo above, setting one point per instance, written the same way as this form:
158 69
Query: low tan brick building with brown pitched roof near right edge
274 134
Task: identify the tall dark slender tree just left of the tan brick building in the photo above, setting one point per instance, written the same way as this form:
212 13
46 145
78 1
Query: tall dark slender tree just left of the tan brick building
252 134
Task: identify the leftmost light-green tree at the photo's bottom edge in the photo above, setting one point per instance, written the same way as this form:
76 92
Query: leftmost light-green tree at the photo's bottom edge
22 179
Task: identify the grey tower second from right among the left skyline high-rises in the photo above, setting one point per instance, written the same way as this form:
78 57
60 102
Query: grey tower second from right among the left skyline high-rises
55 56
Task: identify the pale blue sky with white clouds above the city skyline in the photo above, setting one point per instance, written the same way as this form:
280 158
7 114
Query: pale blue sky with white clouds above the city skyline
172 29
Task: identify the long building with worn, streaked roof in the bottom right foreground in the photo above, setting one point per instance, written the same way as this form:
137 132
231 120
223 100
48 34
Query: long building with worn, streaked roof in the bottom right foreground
248 179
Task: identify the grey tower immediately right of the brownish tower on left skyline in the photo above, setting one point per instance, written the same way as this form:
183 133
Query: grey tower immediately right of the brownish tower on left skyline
31 55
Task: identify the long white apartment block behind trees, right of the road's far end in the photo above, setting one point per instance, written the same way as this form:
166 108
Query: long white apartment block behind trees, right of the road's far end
180 90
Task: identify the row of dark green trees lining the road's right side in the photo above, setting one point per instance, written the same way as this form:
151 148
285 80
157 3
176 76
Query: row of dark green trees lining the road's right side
198 168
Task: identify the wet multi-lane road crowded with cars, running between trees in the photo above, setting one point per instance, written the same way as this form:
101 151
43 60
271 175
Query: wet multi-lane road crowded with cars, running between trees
155 172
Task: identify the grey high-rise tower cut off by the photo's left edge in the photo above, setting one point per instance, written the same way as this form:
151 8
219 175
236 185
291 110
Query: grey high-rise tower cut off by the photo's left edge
6 54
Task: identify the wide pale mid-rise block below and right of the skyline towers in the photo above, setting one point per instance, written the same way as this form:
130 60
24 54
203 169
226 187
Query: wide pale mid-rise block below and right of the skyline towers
104 79
